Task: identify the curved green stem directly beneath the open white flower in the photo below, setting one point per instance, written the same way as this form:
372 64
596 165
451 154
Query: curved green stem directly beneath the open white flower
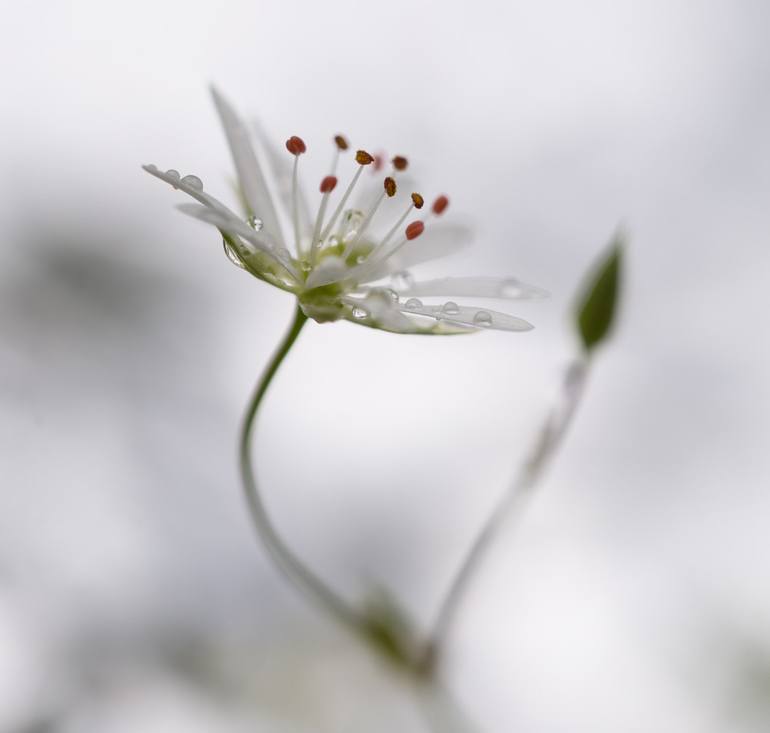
294 569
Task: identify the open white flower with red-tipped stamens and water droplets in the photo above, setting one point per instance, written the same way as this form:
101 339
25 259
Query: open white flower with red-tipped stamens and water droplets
338 267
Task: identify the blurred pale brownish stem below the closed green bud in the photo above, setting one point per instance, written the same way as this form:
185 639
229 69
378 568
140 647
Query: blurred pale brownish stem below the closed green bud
510 506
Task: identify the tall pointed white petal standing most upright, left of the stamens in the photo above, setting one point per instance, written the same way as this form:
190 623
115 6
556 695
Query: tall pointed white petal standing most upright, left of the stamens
249 173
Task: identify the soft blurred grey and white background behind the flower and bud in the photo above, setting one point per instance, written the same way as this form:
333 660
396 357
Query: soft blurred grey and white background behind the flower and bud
633 598
